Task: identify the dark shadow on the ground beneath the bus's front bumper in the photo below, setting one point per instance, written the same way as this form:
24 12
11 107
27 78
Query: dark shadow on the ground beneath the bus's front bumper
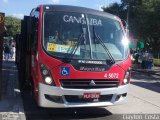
34 112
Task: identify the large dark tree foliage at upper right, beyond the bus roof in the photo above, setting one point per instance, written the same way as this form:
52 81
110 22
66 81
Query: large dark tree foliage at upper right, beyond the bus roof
144 19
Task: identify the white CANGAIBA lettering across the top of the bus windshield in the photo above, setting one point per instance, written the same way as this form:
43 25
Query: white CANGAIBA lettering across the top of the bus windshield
81 20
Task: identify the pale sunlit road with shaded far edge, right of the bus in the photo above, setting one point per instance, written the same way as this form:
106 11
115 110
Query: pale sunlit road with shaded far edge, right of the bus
144 95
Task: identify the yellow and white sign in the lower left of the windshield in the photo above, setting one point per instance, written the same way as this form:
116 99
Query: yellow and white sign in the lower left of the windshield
61 48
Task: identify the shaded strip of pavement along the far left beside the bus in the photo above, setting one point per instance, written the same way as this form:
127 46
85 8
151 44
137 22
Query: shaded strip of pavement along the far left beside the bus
10 95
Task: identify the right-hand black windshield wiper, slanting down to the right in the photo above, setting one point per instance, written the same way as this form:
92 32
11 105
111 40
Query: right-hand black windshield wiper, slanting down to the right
111 61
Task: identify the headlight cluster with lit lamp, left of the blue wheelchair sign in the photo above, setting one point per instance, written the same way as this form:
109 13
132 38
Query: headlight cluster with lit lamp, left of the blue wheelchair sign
46 75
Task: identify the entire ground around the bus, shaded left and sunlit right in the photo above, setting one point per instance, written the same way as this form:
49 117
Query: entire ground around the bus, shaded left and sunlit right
143 98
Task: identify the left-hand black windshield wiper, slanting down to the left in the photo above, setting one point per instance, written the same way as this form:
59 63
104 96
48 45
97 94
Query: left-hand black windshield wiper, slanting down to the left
68 59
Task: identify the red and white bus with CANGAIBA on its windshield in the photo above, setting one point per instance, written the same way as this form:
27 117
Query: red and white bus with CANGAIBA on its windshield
74 57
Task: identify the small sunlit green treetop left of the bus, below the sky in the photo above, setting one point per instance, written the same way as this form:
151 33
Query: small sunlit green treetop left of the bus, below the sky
13 25
